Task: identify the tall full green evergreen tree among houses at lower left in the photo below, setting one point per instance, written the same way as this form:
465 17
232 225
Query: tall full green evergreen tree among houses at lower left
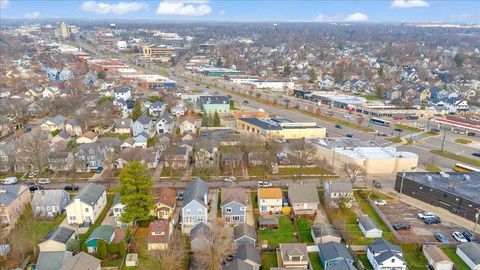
135 192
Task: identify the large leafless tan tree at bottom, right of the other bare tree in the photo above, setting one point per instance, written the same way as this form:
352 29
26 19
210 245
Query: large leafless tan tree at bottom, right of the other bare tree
221 246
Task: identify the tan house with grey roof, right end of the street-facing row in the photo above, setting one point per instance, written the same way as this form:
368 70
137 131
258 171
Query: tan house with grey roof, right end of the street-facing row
339 192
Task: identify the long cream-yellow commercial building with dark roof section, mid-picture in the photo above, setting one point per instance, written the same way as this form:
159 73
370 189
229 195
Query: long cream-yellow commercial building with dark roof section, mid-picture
281 128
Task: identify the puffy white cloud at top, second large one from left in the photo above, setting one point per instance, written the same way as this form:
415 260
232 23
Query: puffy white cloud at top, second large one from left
184 8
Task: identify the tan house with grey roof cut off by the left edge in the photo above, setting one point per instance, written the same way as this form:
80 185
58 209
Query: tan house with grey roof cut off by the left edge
13 199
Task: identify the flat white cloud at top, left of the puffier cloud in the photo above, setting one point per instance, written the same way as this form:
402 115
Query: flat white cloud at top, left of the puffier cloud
119 8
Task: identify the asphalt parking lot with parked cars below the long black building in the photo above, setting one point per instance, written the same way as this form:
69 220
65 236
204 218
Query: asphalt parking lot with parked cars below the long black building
398 211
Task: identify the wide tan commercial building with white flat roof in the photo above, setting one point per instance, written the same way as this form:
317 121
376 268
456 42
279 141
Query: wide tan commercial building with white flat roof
369 155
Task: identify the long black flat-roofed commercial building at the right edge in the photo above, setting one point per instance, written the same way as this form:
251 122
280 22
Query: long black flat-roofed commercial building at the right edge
454 191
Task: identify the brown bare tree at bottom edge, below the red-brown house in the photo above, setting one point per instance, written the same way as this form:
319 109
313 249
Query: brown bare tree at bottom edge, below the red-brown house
173 257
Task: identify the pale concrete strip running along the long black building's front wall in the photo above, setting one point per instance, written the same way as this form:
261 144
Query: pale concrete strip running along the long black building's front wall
441 212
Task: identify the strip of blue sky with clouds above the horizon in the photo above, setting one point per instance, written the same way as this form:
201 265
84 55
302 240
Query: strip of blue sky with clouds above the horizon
250 10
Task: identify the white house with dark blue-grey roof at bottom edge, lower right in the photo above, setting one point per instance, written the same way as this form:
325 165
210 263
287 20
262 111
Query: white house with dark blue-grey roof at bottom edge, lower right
384 255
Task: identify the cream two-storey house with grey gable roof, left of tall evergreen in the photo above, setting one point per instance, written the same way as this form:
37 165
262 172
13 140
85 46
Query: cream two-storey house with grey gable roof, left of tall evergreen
87 205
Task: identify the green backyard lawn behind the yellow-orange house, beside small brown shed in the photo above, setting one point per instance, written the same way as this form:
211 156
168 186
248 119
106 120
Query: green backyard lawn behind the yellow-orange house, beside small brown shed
284 234
